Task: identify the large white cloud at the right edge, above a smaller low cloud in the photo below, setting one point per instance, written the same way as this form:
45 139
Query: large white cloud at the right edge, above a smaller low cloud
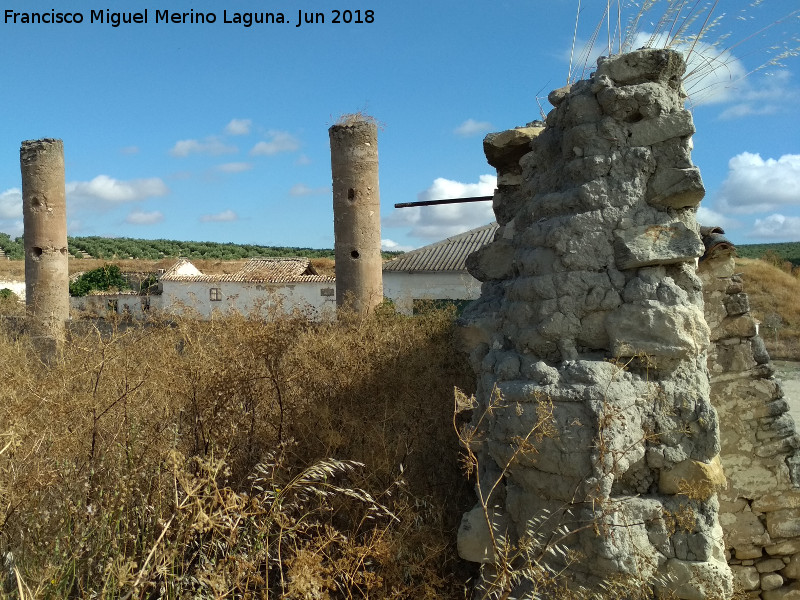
757 185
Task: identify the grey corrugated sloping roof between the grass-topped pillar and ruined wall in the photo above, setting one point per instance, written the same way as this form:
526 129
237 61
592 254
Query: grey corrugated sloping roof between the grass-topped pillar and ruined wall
447 255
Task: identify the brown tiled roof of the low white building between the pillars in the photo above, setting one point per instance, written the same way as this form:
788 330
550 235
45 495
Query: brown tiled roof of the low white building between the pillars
255 270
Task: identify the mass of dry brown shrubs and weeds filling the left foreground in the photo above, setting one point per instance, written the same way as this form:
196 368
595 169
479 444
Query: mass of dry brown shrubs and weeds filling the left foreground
234 458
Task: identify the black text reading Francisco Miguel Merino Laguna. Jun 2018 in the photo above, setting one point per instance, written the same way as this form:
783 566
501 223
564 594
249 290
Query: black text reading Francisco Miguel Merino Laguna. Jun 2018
245 19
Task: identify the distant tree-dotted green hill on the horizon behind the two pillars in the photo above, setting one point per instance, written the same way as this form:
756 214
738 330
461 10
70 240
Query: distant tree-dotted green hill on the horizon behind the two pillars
124 248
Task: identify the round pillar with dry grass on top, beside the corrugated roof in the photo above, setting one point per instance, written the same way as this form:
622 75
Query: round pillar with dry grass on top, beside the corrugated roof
356 212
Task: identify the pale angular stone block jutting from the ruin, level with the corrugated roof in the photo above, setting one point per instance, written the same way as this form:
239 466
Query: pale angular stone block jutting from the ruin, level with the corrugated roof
656 245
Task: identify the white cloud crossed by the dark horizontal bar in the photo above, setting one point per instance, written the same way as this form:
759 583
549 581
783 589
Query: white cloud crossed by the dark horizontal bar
438 222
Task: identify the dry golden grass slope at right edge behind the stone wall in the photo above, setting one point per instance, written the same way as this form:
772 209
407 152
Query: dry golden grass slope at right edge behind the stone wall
773 292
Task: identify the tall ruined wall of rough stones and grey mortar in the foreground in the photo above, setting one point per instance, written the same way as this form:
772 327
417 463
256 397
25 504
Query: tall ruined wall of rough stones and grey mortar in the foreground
591 309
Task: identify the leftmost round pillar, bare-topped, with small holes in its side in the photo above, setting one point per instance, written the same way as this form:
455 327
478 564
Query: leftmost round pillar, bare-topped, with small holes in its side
44 211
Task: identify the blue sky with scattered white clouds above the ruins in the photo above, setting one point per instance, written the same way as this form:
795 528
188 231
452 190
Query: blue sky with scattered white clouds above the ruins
219 131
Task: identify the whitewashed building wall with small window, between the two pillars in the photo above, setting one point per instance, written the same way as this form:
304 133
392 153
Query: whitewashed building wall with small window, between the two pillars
189 296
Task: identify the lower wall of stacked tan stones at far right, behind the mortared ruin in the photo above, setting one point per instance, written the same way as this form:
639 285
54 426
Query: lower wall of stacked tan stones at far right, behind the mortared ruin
760 509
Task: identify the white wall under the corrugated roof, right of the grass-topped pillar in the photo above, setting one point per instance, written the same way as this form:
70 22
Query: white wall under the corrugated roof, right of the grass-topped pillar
404 288
